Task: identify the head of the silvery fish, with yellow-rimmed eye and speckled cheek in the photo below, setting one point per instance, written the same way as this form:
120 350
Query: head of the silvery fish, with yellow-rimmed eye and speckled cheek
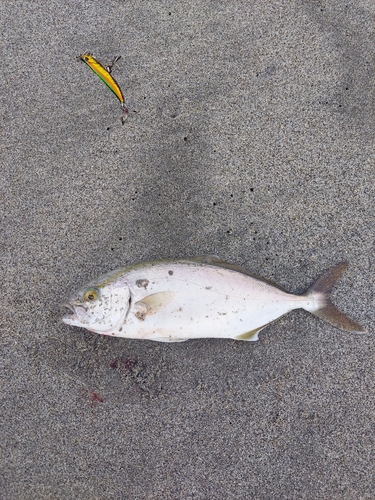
100 306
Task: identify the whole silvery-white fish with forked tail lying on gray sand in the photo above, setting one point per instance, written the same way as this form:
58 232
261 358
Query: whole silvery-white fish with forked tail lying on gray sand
201 297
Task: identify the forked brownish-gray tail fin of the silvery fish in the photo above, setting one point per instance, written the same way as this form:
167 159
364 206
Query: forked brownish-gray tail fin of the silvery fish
321 304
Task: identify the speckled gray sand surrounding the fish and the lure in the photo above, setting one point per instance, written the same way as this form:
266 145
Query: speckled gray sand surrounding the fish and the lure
250 136
